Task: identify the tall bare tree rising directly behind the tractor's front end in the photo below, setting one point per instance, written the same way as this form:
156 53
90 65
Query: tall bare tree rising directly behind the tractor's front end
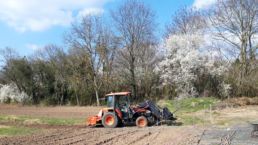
136 26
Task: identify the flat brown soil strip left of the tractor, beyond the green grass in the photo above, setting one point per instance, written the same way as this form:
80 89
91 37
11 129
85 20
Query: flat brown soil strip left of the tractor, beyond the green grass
52 112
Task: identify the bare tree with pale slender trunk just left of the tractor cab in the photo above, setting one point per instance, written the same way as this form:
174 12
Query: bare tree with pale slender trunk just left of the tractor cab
92 38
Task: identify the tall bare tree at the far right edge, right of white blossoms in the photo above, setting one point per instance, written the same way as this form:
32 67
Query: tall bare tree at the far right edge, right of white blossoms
235 22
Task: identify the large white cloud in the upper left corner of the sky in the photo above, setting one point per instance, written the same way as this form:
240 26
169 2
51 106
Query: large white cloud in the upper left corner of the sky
38 15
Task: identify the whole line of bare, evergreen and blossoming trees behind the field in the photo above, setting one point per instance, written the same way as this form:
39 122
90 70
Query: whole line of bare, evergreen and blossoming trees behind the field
209 52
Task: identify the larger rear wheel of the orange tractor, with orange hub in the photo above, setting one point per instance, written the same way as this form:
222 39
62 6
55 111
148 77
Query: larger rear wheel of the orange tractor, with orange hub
109 120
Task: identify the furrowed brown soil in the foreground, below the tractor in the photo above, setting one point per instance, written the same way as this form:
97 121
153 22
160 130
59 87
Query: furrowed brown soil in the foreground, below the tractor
117 136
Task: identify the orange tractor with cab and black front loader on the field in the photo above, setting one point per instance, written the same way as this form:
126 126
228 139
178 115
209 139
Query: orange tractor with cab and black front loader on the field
120 112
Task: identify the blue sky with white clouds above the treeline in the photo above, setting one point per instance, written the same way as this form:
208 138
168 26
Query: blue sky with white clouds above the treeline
27 25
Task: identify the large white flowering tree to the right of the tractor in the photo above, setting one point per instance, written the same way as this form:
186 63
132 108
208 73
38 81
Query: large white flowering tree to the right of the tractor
184 62
